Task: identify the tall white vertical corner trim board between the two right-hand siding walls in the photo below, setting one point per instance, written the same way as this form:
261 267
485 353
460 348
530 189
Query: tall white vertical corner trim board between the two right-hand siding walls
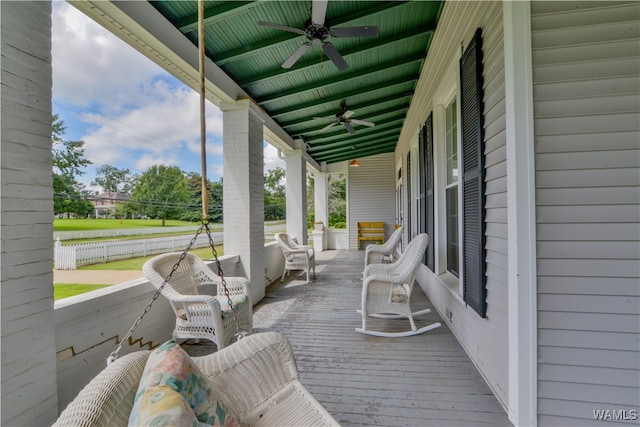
522 308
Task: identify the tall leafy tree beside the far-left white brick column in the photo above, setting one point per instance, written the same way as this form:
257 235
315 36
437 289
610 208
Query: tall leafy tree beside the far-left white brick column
68 162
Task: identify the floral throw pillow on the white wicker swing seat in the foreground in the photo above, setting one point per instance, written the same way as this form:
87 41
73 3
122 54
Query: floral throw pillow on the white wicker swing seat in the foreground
174 392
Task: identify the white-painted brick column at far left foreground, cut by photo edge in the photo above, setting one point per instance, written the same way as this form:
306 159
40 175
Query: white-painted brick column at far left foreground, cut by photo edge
28 342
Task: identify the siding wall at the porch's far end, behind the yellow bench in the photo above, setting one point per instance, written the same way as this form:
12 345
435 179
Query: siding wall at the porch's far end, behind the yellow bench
371 195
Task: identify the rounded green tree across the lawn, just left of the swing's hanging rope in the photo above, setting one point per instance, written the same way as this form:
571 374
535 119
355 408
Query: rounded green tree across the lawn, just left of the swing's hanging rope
161 192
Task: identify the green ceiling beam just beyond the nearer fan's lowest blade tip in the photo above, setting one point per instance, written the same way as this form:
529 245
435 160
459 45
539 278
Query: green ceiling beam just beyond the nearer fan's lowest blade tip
340 79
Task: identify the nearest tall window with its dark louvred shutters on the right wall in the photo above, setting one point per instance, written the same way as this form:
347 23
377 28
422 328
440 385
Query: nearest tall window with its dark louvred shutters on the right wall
452 179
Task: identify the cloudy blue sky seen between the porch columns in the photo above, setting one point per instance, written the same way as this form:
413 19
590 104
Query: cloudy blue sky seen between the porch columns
129 112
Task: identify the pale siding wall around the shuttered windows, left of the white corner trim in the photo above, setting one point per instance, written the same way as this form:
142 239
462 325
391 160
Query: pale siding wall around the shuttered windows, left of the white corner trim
485 340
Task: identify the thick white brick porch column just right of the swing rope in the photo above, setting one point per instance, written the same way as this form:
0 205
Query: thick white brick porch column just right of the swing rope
243 195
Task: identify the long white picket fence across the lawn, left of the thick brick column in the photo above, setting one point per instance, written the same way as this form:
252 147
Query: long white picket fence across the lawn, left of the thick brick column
69 257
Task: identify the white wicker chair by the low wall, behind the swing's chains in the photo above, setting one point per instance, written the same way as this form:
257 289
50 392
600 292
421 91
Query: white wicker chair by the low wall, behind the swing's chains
201 316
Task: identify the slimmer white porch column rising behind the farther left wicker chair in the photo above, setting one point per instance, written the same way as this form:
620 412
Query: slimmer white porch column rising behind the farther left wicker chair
296 188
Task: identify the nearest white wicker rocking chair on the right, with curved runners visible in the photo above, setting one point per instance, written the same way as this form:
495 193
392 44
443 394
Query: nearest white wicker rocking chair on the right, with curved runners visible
386 291
